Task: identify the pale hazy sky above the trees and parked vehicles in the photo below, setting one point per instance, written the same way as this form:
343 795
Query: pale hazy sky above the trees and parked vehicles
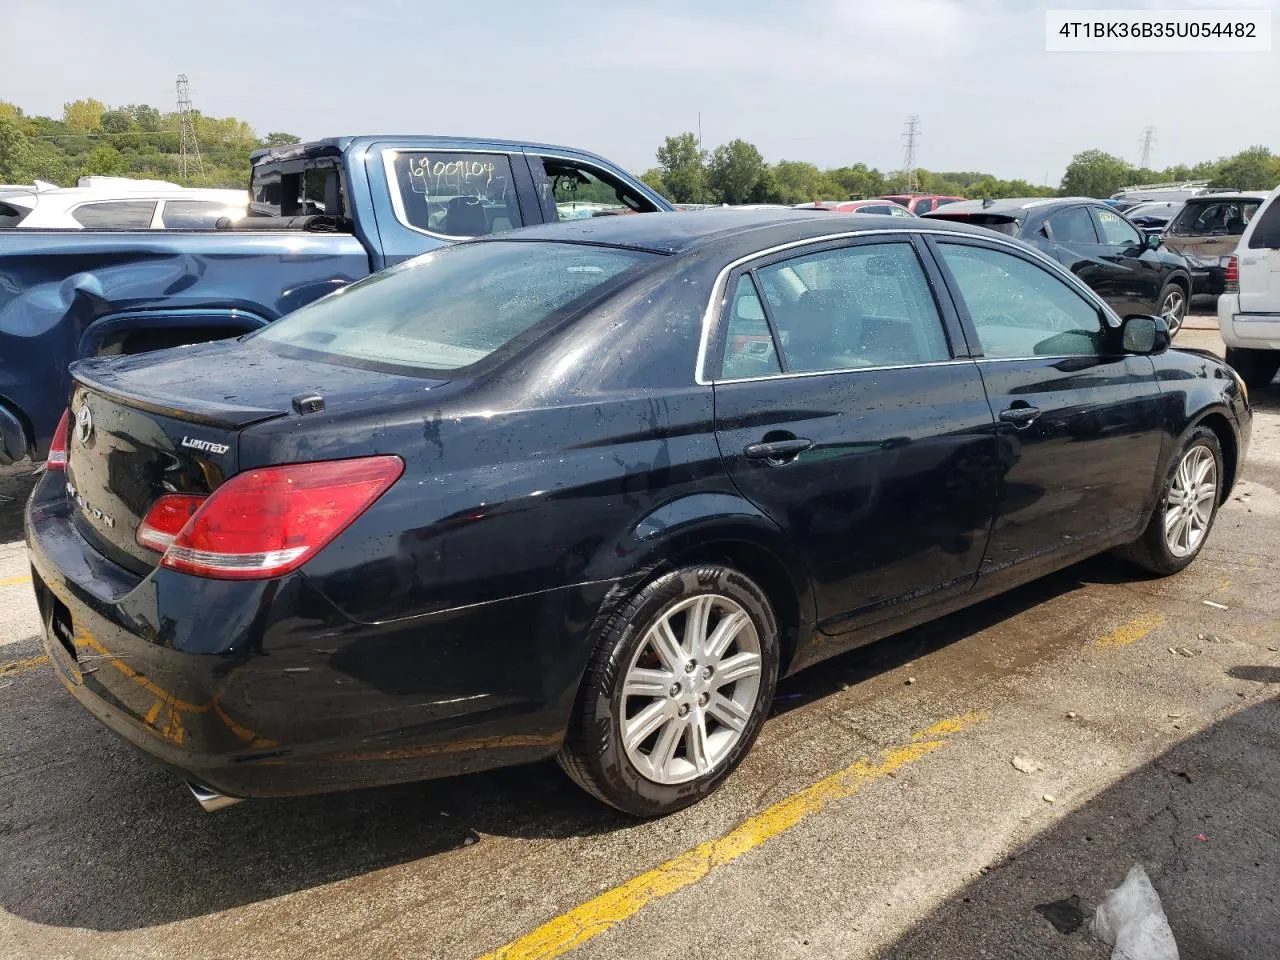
826 81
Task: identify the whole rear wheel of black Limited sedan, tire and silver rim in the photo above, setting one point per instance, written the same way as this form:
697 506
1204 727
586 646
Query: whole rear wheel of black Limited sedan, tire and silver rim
676 692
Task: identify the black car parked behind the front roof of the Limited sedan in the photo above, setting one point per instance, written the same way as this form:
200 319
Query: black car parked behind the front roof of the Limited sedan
1132 271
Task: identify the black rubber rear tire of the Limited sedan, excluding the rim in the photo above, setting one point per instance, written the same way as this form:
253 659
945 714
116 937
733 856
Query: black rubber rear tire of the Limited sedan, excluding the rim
595 756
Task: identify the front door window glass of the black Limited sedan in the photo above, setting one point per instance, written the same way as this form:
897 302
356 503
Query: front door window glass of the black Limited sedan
1020 309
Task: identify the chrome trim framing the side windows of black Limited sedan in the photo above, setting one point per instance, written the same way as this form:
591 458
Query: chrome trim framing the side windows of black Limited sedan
716 304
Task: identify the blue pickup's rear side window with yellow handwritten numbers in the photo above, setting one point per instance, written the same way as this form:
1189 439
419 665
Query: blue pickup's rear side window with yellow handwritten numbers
458 195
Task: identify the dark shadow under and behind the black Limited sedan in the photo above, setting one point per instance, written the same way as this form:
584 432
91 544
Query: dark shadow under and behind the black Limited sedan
93 835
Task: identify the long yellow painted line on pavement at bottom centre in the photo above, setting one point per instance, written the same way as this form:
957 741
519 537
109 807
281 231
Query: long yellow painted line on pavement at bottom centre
600 915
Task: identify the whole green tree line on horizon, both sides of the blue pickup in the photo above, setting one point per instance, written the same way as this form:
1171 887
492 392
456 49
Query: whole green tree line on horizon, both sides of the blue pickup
139 140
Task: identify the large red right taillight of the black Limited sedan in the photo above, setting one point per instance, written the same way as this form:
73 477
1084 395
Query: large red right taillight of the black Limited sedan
266 523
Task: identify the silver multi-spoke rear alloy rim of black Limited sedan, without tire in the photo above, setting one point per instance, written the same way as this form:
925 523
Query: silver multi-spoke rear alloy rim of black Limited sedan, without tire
691 689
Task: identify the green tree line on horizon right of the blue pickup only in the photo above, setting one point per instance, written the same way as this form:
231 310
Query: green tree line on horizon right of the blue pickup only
737 173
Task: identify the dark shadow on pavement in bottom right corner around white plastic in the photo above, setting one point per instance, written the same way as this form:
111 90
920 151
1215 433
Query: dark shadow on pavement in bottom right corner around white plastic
1203 819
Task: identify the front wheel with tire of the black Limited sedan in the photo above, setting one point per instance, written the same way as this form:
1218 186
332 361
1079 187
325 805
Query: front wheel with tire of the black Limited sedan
1186 510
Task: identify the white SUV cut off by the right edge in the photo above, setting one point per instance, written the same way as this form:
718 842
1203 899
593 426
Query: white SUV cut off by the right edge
1249 312
